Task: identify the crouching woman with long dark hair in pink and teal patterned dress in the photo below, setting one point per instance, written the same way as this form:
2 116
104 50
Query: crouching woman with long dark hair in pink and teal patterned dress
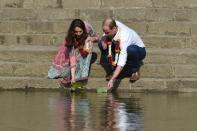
72 61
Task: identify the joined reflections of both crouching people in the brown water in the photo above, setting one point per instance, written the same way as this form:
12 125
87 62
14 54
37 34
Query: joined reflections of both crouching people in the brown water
90 112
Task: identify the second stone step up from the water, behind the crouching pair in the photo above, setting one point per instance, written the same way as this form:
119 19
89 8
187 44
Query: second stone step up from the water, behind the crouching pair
40 69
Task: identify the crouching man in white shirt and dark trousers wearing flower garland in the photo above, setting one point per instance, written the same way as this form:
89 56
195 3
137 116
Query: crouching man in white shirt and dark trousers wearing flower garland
126 49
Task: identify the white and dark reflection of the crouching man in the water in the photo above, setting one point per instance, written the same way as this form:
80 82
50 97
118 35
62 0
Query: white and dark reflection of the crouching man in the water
121 115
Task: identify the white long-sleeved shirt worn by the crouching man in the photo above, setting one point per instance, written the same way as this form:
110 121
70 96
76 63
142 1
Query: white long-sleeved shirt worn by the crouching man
127 37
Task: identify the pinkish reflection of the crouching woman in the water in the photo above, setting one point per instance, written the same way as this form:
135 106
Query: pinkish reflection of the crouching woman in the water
71 112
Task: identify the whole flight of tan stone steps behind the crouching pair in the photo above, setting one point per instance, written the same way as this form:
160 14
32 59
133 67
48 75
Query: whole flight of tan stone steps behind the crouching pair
31 30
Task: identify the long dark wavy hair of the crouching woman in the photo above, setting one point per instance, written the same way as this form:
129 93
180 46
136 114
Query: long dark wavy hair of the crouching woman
71 37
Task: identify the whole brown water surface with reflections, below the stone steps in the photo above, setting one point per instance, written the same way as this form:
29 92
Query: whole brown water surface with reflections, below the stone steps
60 111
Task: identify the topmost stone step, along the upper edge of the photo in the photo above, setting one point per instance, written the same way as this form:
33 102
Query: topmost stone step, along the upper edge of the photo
96 4
